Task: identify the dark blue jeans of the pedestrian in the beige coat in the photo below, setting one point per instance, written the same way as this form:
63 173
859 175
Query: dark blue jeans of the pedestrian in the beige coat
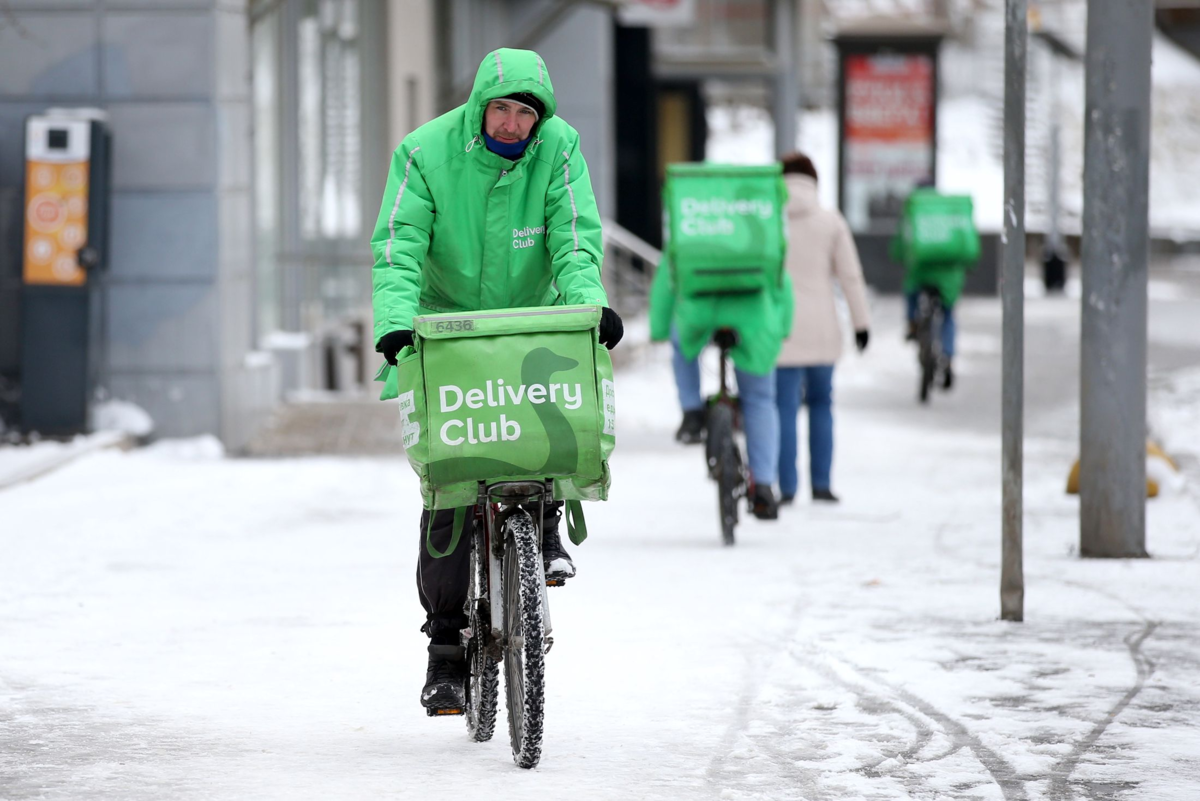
813 387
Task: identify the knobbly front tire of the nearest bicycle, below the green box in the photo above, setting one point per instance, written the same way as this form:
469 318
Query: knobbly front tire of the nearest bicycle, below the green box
525 655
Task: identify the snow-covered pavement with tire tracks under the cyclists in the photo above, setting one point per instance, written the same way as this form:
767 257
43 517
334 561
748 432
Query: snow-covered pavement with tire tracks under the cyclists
179 625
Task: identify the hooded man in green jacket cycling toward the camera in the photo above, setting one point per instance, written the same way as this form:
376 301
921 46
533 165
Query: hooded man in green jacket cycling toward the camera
487 207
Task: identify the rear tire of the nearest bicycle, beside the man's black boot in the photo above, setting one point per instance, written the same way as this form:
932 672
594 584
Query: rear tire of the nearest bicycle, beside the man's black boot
484 679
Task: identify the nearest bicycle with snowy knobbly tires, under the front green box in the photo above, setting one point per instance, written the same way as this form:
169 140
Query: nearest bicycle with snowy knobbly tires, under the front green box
508 616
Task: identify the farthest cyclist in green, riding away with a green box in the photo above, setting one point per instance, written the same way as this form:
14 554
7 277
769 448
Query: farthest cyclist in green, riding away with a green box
932 263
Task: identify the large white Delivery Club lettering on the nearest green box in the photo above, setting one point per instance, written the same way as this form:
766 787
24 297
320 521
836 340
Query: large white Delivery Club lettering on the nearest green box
495 395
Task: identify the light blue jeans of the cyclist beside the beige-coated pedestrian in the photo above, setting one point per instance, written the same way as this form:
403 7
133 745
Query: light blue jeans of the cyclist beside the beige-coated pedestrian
759 413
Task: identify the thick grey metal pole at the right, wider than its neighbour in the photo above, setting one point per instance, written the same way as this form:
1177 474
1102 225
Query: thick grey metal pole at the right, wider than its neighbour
1117 252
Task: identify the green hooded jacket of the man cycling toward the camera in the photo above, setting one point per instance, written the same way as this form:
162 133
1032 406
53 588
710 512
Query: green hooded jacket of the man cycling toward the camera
465 230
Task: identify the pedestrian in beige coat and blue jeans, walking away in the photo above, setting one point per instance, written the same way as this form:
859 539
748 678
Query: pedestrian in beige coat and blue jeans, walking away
820 250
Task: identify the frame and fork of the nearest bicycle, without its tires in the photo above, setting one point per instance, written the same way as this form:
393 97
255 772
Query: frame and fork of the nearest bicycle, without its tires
500 501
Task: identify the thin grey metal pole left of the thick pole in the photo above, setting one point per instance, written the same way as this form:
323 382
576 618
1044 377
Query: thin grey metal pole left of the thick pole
1012 577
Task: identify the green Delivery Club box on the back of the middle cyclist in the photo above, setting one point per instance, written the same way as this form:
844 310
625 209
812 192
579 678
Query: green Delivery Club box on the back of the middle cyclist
725 227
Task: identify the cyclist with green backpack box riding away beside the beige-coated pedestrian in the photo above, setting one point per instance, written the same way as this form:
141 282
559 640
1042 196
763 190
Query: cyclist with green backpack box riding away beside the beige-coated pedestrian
723 270
